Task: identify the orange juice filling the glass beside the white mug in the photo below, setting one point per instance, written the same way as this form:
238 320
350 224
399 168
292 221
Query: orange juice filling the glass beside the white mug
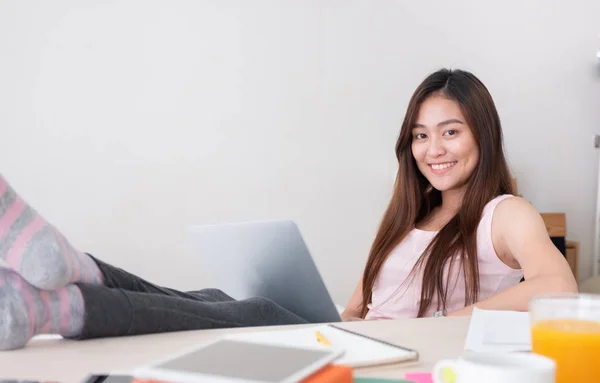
573 344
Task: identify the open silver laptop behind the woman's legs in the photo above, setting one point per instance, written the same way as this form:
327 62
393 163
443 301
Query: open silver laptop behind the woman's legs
265 259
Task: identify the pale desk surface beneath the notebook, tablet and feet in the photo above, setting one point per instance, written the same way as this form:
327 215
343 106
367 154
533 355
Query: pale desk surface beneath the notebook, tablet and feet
70 361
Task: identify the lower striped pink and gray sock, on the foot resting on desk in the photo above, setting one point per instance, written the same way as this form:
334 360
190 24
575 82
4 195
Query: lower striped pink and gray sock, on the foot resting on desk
26 311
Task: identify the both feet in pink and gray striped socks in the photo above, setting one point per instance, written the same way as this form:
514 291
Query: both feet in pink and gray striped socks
36 291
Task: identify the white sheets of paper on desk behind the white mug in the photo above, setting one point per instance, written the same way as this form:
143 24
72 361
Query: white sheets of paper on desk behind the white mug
499 331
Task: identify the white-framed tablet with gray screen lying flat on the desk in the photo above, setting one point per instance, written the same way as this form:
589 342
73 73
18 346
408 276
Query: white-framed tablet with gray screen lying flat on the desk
236 361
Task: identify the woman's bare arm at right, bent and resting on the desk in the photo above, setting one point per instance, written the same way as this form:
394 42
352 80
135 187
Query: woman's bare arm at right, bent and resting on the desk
520 238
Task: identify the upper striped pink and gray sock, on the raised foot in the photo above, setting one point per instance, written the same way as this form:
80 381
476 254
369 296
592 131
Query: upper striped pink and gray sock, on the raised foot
36 250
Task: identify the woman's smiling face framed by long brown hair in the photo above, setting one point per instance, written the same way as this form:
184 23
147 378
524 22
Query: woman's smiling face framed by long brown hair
442 144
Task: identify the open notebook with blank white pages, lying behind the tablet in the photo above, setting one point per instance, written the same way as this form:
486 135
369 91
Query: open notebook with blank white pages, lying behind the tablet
359 350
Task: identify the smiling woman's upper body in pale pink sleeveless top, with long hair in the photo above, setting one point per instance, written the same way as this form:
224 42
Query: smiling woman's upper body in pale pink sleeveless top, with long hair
454 235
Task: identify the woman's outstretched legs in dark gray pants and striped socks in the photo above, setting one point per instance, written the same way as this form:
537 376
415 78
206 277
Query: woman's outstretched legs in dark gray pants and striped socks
49 287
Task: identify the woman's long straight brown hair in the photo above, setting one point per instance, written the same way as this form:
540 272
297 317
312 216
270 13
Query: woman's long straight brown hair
414 198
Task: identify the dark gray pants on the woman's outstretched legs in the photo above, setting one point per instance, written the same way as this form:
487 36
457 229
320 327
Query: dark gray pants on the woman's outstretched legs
129 305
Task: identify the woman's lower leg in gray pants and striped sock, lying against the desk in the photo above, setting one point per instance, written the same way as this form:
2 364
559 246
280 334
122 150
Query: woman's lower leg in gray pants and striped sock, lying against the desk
84 311
